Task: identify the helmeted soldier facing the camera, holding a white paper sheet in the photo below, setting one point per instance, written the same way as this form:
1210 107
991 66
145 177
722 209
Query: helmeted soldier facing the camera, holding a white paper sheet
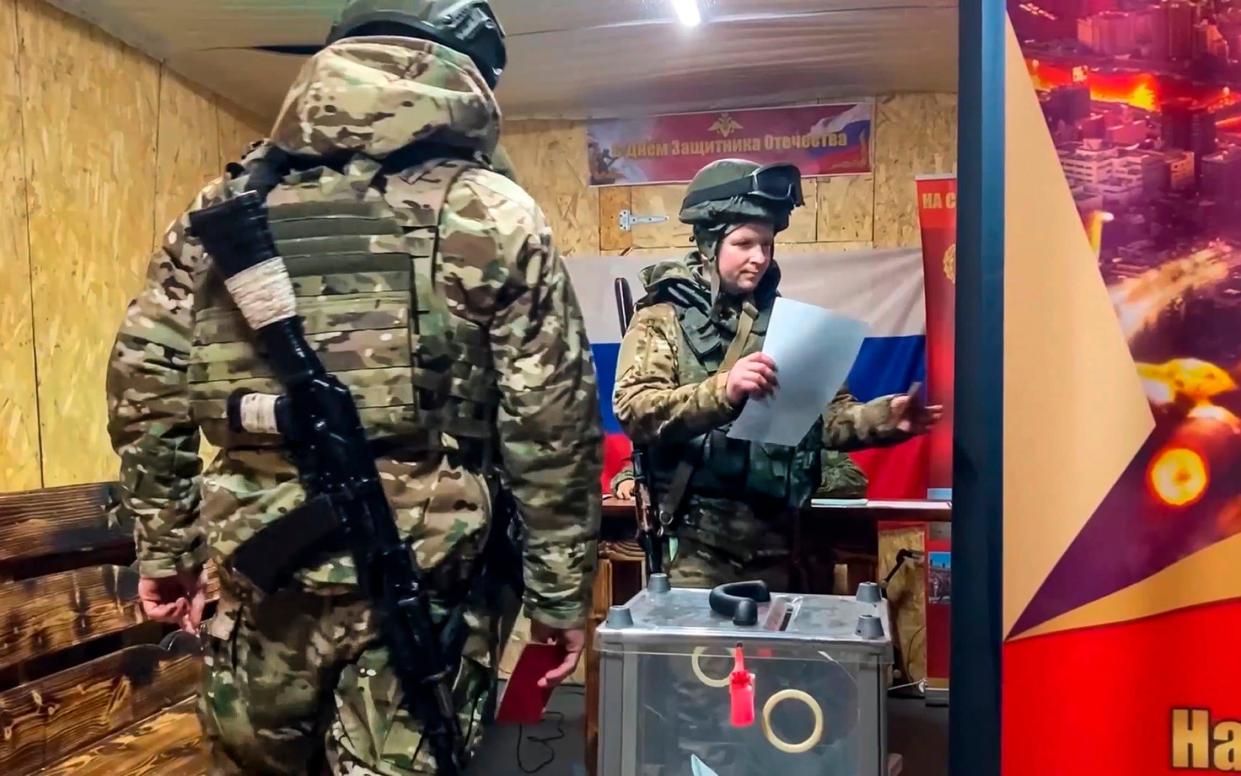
691 361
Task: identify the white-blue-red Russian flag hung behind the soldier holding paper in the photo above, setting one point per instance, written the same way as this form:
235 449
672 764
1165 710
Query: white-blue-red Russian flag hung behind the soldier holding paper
884 289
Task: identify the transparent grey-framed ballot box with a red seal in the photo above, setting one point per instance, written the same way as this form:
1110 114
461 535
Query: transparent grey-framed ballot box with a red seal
741 681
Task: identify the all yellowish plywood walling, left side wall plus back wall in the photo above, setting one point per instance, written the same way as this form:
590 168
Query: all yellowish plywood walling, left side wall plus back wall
101 148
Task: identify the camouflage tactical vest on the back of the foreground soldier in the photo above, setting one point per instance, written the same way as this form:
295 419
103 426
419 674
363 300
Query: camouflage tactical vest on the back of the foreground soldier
364 266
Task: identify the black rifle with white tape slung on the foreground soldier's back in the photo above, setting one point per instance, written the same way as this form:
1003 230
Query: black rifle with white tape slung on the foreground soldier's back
320 422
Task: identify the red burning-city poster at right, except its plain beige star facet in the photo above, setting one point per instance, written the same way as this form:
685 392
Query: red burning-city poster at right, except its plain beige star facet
1144 104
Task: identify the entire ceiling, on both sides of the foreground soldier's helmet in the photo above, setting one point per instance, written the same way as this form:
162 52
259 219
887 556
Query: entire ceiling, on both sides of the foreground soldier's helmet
586 58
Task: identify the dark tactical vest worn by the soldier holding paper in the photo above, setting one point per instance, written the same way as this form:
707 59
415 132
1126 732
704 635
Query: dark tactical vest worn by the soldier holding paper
727 469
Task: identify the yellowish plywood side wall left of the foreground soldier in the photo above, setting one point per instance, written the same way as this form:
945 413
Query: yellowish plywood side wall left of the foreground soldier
100 151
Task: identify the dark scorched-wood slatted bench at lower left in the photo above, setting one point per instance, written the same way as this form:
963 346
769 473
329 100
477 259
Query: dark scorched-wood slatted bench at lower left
87 686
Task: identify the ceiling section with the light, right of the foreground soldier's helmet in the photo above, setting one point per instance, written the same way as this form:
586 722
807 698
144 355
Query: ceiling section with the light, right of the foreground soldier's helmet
756 63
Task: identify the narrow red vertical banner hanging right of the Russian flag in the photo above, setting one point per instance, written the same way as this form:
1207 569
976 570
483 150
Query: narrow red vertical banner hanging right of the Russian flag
938 215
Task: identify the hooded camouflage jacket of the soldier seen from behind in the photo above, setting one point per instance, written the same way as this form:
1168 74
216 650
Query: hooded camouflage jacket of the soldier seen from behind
500 271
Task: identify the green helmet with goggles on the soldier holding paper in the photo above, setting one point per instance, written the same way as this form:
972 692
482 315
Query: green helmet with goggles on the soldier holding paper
733 191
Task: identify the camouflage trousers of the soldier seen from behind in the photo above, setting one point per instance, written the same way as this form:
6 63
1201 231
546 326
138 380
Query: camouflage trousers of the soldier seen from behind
298 684
